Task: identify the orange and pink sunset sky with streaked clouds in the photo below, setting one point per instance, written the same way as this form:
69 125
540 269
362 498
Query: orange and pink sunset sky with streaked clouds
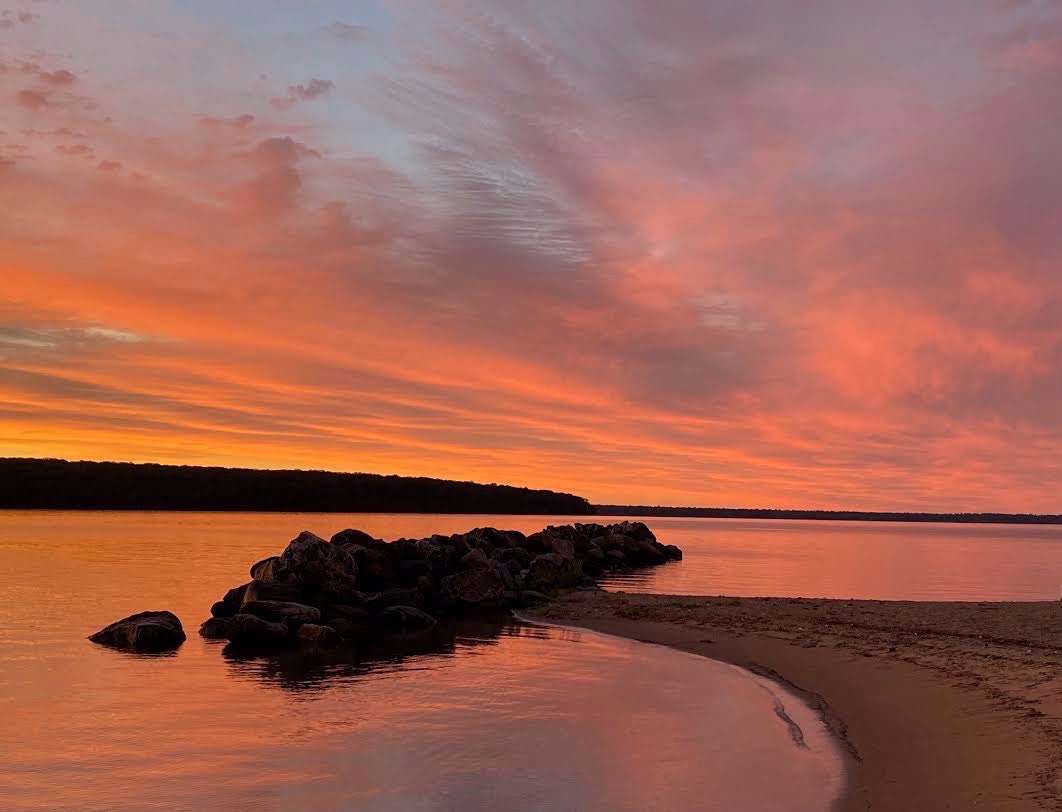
747 254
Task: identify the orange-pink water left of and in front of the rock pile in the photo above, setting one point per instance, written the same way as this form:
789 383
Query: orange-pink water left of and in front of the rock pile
492 715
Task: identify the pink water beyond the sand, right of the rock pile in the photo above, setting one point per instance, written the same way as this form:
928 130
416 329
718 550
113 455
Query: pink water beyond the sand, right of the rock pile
881 561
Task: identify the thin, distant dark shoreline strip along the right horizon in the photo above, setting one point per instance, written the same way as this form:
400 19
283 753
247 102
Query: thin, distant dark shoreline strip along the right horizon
756 513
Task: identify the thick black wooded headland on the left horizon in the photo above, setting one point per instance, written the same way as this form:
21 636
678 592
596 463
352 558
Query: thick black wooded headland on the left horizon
85 486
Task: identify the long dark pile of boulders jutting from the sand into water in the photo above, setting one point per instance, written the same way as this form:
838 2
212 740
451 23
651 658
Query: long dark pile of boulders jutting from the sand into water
317 594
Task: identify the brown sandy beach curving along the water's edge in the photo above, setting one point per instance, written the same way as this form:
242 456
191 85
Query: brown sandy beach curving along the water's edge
939 706
